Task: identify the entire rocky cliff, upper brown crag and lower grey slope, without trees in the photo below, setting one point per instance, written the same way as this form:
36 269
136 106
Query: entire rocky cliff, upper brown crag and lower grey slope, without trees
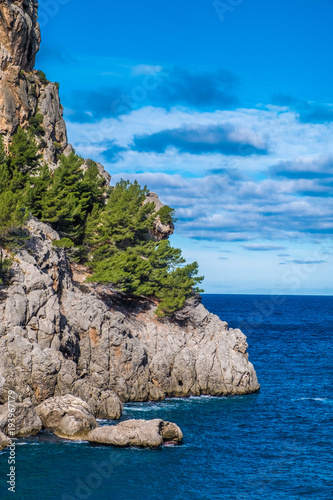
60 335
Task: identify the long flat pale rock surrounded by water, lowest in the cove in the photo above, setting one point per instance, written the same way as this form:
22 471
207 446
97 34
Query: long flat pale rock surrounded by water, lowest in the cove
140 433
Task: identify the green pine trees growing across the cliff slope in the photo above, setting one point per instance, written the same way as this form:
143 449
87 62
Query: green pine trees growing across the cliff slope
106 228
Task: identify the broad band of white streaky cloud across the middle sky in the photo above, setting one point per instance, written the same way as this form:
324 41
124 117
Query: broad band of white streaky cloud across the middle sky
226 198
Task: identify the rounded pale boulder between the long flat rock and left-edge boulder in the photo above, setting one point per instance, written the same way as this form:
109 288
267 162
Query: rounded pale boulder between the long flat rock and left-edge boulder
67 416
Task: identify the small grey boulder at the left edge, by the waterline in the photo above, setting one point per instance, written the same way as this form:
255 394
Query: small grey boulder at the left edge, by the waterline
26 421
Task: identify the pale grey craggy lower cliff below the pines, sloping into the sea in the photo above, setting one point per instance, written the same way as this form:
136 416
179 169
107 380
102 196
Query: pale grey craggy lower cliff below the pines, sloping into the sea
59 336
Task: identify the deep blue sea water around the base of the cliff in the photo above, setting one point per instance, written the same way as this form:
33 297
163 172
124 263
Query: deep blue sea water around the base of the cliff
276 444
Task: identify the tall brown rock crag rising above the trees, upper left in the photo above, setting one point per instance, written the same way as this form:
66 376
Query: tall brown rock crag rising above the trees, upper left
24 92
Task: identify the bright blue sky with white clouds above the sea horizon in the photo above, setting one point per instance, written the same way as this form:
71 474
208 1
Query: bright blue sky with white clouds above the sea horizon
225 109
